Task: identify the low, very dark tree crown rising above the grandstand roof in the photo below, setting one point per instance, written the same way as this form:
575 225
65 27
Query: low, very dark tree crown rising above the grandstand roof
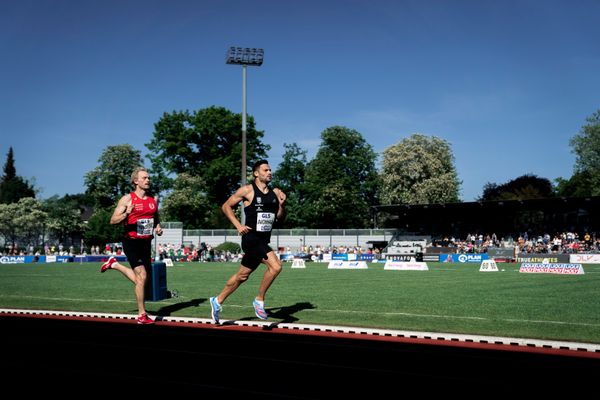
525 187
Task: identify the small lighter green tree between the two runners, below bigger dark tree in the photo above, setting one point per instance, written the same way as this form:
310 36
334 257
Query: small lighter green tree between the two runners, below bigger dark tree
187 202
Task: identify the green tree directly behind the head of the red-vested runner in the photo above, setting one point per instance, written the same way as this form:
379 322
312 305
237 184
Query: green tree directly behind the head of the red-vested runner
112 178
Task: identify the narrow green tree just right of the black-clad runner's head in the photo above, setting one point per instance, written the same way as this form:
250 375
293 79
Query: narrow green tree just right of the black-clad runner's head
289 177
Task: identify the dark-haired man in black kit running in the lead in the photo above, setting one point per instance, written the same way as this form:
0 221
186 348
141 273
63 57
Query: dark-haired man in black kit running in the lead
262 206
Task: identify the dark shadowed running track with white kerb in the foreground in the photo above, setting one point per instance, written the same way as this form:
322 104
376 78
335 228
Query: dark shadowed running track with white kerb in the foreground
56 353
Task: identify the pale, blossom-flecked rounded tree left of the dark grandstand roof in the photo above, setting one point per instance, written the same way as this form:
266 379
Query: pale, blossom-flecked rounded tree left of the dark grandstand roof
419 170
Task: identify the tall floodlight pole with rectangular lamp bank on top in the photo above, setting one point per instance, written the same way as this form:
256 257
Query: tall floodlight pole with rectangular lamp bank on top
244 56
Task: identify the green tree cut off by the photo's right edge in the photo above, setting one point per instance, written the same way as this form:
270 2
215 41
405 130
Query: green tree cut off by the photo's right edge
586 146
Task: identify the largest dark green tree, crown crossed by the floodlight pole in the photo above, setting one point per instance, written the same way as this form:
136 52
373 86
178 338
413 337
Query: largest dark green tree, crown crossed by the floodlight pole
205 143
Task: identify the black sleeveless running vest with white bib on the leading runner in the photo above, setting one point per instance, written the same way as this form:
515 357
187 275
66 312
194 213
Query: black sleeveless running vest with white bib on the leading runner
261 213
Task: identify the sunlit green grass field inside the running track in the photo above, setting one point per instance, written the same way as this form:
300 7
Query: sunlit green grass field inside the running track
452 298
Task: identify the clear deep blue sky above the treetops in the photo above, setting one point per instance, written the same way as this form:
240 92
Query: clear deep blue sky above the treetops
506 83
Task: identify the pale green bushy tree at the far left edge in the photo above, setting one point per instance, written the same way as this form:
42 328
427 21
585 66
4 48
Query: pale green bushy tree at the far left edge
22 223
